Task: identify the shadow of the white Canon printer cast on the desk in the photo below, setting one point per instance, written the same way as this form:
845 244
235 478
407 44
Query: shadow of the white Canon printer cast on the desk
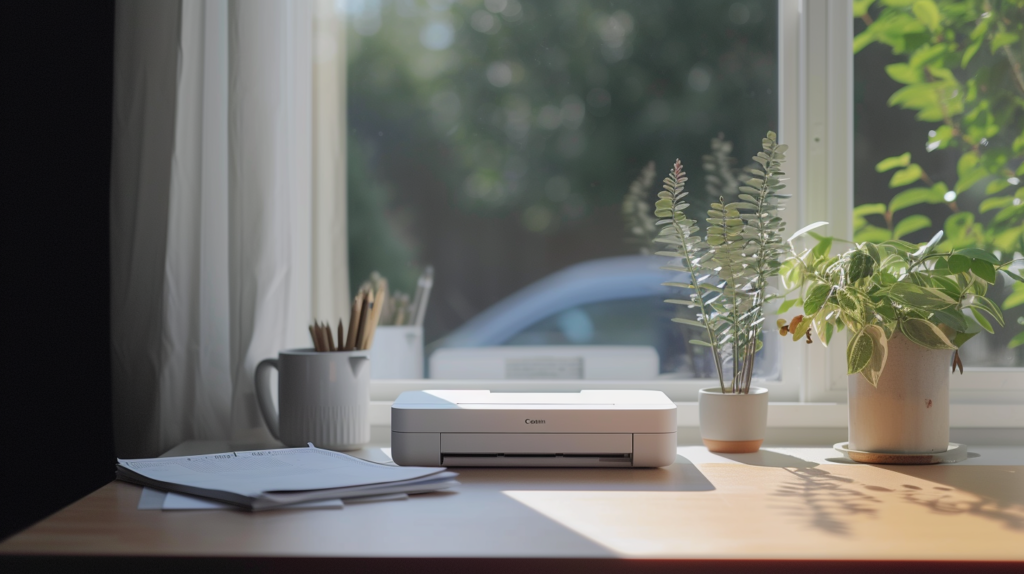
681 476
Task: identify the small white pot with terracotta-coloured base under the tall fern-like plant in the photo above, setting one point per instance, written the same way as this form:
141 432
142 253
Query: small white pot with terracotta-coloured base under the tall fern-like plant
734 423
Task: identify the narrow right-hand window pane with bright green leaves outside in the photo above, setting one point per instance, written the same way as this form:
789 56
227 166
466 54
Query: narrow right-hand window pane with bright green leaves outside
940 140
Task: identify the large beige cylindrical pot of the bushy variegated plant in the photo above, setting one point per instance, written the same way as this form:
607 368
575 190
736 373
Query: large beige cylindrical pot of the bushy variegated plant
909 413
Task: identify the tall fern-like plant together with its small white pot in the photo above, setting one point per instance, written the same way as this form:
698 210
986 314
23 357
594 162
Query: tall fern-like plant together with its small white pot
728 275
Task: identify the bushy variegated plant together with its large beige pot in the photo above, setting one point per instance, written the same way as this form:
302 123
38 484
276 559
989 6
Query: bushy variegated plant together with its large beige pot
908 310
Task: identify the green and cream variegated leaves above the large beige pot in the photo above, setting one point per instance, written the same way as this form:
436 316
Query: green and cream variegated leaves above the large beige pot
935 299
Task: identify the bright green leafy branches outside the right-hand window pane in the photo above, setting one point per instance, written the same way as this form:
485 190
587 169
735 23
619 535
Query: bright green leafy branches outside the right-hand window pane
962 73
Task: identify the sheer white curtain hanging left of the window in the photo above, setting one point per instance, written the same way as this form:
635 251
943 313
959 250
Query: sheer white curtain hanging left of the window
212 201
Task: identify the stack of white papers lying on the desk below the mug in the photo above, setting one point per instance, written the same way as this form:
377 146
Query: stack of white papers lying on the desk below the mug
261 480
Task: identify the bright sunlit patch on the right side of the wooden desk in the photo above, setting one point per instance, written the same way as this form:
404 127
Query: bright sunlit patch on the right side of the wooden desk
820 511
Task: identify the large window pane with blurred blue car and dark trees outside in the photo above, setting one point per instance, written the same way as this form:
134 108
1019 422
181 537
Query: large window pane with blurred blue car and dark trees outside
496 141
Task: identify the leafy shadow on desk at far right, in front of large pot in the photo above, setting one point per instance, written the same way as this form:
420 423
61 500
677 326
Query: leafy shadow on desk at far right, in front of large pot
996 494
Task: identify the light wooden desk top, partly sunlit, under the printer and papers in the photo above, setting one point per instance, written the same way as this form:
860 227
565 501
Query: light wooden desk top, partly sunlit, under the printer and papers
799 507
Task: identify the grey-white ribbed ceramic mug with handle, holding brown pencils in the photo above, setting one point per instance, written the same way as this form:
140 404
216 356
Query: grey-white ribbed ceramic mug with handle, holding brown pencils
324 399
